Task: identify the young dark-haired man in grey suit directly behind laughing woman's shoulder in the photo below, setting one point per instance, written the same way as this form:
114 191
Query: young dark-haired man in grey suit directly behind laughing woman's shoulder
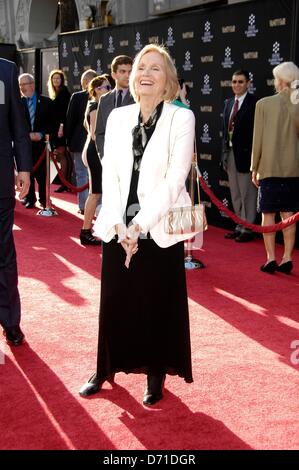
121 68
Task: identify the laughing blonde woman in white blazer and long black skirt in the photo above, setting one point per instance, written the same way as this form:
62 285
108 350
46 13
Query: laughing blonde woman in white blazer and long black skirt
144 323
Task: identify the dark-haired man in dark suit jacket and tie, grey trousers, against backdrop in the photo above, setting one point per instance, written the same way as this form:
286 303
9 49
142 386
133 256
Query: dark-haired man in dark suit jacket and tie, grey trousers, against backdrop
238 121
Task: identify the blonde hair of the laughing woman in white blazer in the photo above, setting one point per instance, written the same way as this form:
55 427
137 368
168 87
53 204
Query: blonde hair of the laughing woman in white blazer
171 72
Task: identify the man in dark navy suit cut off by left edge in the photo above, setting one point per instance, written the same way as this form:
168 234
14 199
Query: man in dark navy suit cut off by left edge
15 150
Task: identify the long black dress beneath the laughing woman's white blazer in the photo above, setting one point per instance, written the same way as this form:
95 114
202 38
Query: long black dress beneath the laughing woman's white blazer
144 319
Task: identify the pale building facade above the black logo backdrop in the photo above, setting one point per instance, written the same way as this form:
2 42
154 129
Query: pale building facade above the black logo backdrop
36 23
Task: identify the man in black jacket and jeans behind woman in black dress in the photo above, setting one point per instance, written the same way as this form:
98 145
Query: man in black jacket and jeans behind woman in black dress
76 134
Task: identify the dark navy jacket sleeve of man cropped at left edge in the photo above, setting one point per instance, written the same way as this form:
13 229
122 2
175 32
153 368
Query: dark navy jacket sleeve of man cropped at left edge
19 127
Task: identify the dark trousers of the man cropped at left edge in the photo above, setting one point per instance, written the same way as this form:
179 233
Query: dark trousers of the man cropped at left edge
10 310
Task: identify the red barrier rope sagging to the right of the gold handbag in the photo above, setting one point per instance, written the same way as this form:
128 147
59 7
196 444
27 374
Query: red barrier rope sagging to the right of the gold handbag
256 228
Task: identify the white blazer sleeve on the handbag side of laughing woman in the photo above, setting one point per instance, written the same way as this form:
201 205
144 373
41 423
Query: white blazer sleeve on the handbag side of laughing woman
166 193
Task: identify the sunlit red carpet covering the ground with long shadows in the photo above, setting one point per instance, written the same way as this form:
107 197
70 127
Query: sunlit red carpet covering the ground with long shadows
245 393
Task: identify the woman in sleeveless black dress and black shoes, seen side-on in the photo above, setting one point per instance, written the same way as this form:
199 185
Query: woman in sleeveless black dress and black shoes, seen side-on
98 86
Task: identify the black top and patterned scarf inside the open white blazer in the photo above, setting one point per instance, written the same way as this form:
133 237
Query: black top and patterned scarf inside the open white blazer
141 136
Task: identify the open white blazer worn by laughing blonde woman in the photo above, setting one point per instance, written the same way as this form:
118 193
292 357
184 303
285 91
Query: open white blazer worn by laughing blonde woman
164 168
